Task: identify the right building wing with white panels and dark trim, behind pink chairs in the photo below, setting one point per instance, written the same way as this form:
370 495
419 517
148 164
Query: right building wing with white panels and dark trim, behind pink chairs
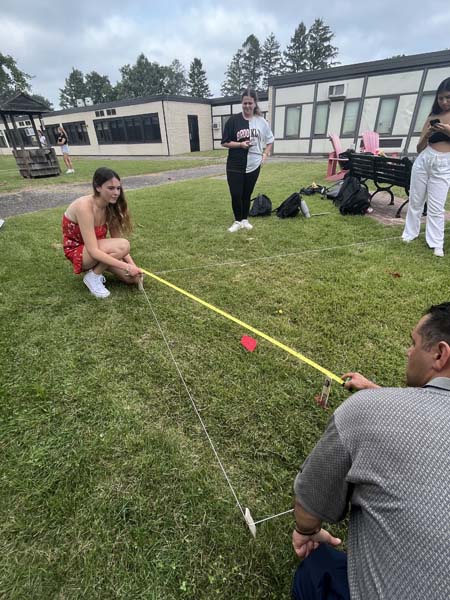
392 97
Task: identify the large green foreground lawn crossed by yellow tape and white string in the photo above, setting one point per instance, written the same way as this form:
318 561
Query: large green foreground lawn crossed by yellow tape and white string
109 488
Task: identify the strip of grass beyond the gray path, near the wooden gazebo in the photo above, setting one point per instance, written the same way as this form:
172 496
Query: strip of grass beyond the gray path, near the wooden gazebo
11 180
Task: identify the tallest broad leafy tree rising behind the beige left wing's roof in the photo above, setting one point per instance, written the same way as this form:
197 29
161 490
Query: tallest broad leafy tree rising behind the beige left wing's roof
144 78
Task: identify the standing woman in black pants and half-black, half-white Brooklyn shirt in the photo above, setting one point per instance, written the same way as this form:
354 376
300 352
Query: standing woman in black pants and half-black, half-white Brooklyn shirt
245 135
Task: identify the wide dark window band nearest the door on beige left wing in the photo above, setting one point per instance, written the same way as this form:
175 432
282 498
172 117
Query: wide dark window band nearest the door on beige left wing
128 130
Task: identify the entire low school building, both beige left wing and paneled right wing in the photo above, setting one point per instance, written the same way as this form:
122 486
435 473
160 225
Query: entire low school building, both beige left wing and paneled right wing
392 97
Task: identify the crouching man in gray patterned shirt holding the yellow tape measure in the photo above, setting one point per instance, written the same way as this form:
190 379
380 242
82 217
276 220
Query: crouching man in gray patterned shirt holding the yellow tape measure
385 456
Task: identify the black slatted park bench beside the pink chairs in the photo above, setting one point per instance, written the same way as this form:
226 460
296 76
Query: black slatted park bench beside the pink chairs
384 171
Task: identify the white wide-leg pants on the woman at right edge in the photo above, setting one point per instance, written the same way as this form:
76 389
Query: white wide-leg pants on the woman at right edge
430 180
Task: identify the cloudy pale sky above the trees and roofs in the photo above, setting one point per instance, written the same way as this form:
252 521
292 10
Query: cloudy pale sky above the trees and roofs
47 38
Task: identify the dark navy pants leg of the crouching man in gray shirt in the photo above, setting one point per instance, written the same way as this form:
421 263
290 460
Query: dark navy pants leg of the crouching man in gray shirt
322 576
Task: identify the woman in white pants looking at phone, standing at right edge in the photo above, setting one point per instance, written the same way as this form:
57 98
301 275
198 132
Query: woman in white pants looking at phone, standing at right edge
430 177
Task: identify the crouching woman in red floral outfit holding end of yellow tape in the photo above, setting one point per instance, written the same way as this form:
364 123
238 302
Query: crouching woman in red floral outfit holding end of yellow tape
86 223
